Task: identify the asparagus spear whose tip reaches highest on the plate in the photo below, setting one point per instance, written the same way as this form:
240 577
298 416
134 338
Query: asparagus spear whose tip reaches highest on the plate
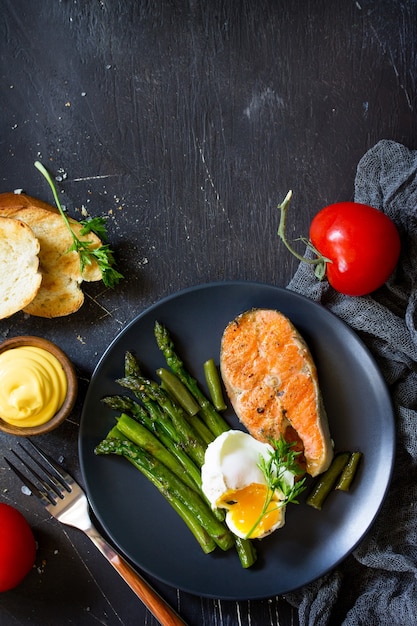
213 419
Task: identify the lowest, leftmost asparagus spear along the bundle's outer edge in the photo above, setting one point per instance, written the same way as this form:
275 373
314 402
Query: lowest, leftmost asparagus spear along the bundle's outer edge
157 471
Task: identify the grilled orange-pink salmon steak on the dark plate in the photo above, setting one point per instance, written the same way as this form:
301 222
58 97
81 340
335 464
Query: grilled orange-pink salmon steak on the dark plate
271 380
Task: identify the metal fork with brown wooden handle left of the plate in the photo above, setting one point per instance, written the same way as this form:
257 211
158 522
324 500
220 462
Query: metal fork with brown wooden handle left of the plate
66 501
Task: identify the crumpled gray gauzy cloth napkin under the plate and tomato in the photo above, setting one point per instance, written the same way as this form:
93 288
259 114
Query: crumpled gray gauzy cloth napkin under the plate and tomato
377 584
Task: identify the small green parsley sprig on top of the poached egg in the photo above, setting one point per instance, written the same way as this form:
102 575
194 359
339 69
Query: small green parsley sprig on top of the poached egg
282 459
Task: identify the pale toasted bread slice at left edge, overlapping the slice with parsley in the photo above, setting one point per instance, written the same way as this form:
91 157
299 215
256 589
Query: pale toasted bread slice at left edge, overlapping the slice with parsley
20 278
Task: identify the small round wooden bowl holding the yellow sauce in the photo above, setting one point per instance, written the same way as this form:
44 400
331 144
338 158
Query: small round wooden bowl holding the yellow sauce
72 386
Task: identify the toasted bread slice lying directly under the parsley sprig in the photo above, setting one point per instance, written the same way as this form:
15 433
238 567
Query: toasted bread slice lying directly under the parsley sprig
60 292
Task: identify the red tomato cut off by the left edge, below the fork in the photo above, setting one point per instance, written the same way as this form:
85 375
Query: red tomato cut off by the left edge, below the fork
17 547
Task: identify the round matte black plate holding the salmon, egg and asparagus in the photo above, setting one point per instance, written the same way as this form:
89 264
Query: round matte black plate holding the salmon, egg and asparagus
142 524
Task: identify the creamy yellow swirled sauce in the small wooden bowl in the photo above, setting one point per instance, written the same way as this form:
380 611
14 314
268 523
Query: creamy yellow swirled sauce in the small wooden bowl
33 386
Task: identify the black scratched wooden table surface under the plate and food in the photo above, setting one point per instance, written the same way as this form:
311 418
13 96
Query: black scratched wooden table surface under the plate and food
185 123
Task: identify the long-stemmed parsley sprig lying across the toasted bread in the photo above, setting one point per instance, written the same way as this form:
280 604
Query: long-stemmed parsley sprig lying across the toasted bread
102 255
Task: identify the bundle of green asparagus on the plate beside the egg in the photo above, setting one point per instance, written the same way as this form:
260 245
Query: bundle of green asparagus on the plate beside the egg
164 430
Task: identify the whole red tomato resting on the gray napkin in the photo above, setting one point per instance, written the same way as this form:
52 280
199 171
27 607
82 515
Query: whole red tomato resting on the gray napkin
362 244
